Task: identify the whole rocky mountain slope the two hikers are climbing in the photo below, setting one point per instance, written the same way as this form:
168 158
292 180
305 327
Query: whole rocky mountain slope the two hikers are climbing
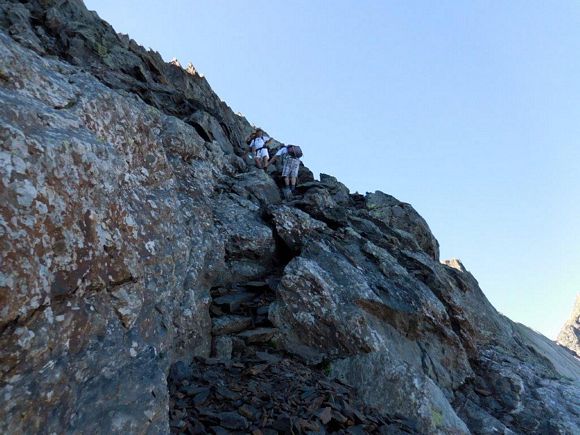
128 214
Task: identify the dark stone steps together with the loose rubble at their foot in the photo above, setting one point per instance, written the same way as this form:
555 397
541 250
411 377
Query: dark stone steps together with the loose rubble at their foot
250 385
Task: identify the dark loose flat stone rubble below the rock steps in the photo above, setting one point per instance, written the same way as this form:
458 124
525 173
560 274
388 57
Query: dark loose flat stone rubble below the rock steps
267 394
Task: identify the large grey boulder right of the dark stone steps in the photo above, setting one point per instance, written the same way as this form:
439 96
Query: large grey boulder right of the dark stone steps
349 301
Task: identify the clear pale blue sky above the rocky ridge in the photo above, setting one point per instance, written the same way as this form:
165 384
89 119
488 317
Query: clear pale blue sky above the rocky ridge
468 110
